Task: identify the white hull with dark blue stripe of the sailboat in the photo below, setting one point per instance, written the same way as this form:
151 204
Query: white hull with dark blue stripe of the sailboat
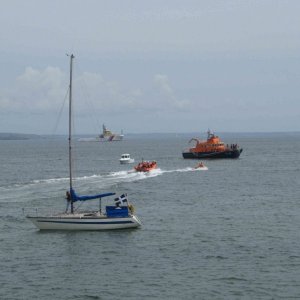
84 223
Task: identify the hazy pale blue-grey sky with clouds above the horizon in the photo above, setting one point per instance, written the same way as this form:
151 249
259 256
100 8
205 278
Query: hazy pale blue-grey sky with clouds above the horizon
150 66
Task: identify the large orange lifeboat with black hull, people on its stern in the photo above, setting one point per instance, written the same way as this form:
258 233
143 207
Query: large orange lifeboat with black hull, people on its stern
213 147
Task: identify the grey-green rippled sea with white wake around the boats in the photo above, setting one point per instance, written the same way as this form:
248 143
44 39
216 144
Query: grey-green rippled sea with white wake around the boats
229 232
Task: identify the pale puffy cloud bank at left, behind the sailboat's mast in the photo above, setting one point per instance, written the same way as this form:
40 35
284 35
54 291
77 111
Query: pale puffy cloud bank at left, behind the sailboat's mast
41 91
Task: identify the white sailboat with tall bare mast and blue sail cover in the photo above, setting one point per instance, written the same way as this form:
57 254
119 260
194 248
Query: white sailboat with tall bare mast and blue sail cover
118 216
